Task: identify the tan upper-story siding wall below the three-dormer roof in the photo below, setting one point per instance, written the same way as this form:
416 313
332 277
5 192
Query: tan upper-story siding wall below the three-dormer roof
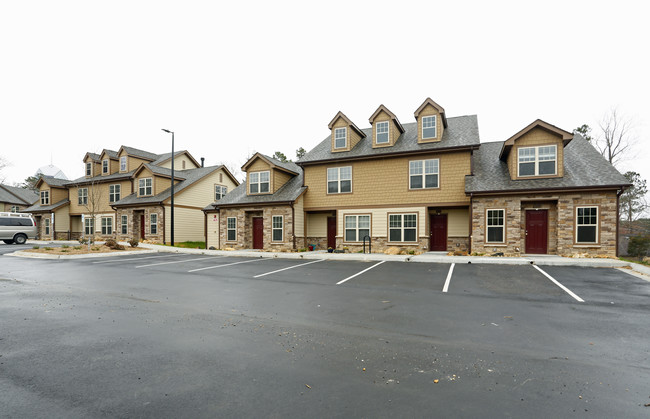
386 182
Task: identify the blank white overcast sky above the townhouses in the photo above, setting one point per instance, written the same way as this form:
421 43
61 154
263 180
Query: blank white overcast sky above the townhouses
232 78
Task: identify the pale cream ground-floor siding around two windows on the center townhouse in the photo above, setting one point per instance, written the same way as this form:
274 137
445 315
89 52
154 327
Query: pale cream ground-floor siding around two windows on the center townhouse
379 219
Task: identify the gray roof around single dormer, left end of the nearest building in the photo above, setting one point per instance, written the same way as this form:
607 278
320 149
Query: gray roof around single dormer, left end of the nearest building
289 192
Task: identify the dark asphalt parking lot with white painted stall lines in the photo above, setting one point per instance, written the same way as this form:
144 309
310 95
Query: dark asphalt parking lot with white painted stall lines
176 335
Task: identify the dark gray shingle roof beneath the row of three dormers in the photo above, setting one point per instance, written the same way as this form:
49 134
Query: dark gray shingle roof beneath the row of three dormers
462 131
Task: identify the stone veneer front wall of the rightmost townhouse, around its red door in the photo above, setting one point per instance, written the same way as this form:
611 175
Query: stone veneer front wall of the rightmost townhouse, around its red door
561 222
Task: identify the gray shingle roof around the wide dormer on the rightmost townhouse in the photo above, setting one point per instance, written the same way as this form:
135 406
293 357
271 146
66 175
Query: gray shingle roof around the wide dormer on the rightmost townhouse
584 166
